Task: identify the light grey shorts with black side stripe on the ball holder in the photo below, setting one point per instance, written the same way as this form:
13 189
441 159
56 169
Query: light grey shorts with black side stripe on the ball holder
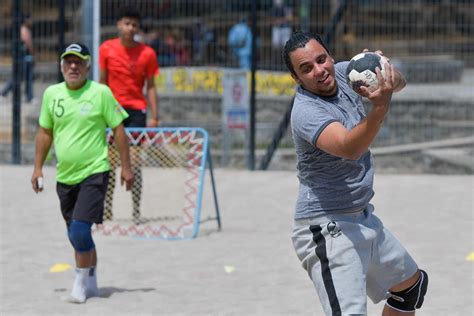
350 256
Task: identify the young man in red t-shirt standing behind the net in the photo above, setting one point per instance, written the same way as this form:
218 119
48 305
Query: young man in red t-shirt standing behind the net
126 66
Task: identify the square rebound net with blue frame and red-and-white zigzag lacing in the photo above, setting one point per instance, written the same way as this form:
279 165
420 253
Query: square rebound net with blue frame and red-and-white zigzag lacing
165 200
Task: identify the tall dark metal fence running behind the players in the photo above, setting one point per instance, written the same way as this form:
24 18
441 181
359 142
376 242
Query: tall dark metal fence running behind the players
430 40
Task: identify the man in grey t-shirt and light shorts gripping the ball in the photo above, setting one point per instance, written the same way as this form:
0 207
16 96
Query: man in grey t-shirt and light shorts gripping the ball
343 246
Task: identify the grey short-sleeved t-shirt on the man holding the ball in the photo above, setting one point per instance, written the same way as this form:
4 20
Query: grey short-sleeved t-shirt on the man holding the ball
329 183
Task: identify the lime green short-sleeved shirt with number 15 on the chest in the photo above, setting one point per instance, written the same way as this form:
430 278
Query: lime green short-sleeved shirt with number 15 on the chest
78 119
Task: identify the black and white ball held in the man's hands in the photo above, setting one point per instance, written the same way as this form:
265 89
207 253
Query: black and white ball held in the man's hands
361 70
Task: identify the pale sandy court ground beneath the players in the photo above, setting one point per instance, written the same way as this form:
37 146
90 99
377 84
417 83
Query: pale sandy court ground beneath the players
249 268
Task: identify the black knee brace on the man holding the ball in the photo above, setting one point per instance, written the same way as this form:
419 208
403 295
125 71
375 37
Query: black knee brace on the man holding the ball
412 298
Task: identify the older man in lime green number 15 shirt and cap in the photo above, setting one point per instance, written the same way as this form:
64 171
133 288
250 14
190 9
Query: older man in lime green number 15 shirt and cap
74 115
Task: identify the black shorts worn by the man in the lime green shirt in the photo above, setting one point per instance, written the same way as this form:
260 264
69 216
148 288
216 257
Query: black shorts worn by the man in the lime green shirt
84 201
